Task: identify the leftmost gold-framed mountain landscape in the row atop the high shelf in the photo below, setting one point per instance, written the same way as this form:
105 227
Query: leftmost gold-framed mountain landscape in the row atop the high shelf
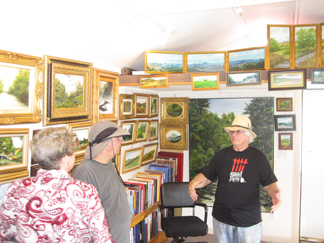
159 62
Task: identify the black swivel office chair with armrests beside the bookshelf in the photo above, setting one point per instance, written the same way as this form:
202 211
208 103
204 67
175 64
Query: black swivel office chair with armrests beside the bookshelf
176 195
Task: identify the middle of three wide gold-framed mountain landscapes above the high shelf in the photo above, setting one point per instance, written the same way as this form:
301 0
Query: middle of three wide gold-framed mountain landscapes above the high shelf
205 62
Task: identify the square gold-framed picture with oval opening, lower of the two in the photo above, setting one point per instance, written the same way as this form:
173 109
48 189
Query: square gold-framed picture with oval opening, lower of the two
174 136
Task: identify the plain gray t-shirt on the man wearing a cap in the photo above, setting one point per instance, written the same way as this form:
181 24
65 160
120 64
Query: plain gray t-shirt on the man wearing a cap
112 194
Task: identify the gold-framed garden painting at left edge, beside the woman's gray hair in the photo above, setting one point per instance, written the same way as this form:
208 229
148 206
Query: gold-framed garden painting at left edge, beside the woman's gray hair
13 154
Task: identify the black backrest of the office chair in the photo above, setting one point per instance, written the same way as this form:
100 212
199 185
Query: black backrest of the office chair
176 194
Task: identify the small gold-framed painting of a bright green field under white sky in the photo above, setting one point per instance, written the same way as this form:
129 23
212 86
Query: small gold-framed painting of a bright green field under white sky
208 81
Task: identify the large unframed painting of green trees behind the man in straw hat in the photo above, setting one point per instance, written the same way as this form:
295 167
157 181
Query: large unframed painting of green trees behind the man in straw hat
207 119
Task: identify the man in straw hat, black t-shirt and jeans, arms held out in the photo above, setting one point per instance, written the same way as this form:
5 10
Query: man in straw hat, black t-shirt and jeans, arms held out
239 169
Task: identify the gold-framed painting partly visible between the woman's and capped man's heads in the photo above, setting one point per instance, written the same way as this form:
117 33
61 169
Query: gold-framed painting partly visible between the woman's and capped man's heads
81 133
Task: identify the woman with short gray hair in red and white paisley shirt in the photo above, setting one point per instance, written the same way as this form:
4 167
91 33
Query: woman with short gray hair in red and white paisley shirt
52 206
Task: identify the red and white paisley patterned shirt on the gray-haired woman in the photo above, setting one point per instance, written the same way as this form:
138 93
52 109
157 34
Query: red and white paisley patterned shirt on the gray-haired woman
52 207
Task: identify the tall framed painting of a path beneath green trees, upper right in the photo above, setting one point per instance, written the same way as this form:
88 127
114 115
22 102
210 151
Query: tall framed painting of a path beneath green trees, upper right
305 46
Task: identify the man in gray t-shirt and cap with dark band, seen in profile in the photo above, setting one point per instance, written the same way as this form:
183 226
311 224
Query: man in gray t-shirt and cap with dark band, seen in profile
105 139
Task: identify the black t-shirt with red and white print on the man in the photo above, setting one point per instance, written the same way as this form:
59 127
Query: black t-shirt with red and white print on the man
237 199
